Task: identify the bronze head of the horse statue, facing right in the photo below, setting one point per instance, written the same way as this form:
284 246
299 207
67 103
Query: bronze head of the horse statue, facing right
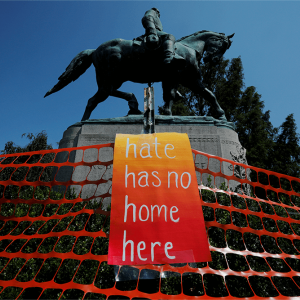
215 46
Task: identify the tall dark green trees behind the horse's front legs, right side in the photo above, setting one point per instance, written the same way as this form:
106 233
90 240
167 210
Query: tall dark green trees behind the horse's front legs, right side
267 147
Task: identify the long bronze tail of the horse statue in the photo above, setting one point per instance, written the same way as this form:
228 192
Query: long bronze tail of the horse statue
81 62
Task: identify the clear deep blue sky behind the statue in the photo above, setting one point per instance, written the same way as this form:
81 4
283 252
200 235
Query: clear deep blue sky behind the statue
39 39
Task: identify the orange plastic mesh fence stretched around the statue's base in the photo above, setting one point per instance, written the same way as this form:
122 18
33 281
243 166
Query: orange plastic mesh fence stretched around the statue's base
55 225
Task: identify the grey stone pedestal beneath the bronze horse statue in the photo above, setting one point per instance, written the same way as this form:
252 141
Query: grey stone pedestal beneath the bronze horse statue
206 134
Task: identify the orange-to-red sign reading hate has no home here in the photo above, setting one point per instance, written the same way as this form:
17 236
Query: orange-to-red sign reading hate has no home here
156 215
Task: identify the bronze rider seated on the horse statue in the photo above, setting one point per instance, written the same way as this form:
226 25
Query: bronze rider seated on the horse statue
154 32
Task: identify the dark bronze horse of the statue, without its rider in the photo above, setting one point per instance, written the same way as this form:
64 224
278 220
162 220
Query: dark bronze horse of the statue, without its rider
117 61
